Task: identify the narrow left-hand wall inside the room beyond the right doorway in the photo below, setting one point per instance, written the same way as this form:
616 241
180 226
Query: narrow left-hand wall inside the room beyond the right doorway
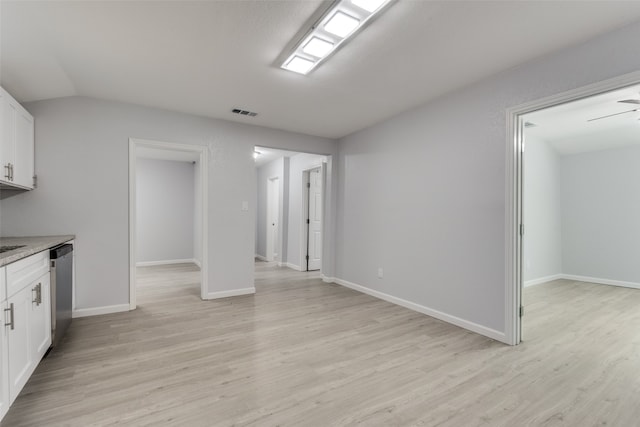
542 211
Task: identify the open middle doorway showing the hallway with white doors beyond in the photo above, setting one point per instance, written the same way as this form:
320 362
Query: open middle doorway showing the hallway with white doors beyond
291 193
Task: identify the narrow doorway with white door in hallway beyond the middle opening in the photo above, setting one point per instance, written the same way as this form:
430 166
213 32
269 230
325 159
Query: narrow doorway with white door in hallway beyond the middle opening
312 219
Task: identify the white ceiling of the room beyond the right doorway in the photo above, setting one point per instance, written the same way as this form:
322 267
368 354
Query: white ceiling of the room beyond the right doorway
568 130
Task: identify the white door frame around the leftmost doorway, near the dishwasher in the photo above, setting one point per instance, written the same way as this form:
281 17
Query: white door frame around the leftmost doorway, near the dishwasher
202 153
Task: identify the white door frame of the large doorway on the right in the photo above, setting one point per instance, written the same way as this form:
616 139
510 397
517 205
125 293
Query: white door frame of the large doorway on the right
514 188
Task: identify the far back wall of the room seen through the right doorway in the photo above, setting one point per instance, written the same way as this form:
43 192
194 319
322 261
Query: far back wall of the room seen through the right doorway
601 214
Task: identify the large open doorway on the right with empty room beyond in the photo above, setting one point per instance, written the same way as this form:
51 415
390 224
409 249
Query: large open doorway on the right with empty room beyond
580 234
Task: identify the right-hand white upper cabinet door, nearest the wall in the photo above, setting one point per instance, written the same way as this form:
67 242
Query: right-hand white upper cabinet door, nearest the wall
24 146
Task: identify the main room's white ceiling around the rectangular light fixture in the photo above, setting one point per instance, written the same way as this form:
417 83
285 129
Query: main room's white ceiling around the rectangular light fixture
207 57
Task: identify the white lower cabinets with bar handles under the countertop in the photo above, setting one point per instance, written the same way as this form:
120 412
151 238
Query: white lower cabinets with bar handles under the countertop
26 335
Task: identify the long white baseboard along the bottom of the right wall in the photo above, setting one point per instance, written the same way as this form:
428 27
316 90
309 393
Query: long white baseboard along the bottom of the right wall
473 327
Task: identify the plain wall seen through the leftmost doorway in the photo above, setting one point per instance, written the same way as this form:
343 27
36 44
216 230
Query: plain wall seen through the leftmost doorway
165 210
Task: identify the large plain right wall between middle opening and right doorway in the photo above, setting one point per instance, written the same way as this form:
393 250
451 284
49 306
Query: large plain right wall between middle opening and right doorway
423 194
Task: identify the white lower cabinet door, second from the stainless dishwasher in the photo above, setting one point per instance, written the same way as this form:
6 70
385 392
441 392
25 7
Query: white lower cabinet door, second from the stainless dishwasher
21 362
